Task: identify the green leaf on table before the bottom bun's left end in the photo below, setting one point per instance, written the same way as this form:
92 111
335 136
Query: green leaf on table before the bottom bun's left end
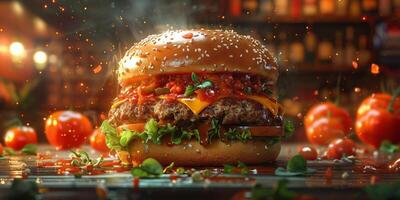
149 168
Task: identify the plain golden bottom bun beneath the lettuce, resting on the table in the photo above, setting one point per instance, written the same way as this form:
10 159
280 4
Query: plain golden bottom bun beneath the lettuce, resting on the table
215 154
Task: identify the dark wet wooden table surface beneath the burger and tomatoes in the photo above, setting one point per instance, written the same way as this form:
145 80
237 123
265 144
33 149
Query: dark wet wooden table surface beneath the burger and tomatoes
347 181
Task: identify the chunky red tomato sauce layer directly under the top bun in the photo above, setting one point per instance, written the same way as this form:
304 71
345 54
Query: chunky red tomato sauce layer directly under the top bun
229 84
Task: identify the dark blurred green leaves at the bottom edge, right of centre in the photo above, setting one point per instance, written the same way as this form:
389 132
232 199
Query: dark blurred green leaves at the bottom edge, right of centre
280 191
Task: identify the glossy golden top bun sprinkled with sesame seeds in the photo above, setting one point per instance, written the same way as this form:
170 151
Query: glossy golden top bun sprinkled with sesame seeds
197 50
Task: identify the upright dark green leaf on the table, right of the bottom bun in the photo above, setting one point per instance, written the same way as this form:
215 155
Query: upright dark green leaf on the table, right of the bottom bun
297 165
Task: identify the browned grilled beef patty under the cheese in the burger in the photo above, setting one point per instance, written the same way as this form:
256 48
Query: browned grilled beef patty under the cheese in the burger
228 111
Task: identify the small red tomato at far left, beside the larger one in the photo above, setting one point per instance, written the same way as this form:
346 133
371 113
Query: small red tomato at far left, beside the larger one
18 137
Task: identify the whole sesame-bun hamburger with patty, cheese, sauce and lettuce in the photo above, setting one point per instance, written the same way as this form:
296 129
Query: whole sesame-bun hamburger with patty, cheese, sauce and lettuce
196 97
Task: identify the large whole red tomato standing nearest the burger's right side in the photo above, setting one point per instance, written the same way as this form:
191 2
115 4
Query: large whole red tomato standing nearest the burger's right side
325 122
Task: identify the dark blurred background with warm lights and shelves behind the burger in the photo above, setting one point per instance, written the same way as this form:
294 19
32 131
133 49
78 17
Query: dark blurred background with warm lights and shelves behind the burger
60 54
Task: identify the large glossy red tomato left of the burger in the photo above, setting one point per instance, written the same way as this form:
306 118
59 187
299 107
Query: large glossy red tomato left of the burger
67 129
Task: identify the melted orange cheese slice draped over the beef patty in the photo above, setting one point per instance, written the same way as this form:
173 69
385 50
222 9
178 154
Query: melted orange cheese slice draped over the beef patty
196 105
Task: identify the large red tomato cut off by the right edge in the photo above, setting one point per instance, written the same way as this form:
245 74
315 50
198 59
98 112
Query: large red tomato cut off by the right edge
375 123
